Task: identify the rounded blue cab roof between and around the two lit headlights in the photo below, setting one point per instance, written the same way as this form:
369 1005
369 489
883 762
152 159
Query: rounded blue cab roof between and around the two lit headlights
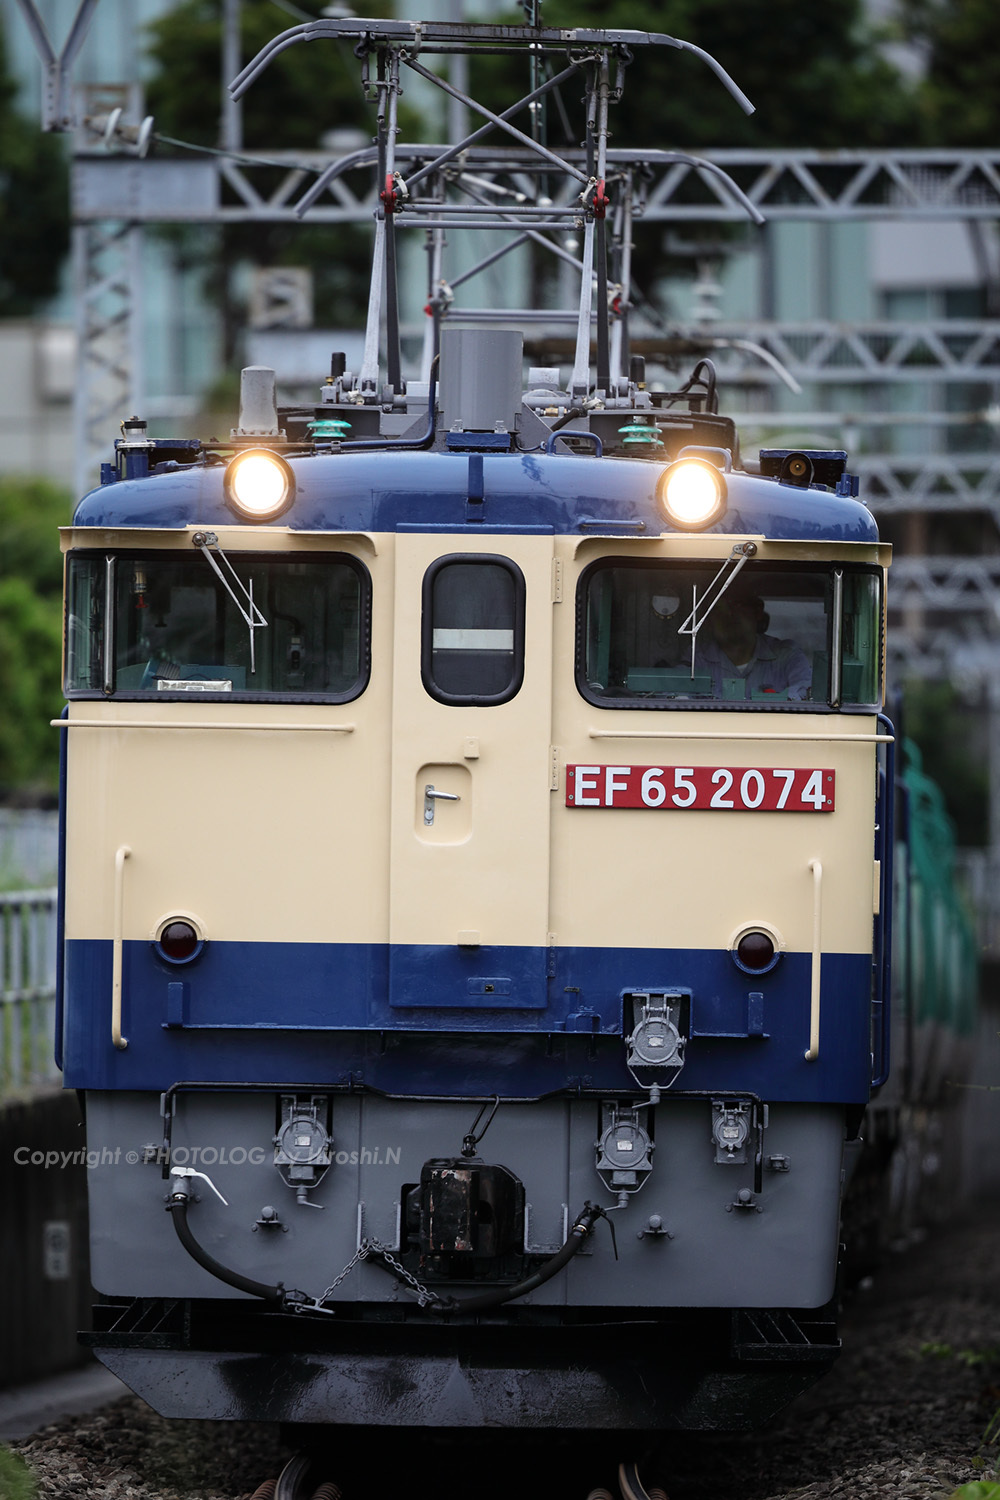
524 493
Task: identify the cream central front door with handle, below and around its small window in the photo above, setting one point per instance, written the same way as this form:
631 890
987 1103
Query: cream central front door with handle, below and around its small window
482 874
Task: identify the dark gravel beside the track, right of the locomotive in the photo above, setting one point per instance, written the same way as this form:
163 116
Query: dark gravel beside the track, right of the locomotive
905 1409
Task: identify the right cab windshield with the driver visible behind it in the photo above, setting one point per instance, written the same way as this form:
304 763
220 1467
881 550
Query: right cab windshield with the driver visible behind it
776 635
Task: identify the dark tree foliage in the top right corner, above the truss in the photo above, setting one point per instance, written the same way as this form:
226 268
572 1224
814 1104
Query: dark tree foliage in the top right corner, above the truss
960 95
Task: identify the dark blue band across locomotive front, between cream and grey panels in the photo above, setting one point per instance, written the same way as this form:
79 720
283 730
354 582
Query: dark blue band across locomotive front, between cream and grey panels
290 1012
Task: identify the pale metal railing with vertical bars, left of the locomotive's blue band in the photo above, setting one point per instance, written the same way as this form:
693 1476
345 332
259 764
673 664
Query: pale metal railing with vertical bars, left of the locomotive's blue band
28 988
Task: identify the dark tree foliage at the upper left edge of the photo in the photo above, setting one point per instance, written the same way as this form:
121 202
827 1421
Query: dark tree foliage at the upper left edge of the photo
34 206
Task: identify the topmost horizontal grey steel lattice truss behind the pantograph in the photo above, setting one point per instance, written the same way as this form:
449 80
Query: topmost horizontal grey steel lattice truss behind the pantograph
675 188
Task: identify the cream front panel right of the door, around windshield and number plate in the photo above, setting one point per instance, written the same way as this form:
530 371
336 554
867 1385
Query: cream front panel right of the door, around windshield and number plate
656 878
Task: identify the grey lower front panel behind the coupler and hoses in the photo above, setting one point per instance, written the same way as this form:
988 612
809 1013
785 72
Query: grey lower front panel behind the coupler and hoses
779 1250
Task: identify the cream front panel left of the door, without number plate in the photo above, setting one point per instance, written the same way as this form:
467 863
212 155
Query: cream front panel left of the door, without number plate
268 835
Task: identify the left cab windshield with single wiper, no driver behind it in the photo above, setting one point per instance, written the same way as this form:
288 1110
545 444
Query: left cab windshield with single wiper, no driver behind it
164 623
